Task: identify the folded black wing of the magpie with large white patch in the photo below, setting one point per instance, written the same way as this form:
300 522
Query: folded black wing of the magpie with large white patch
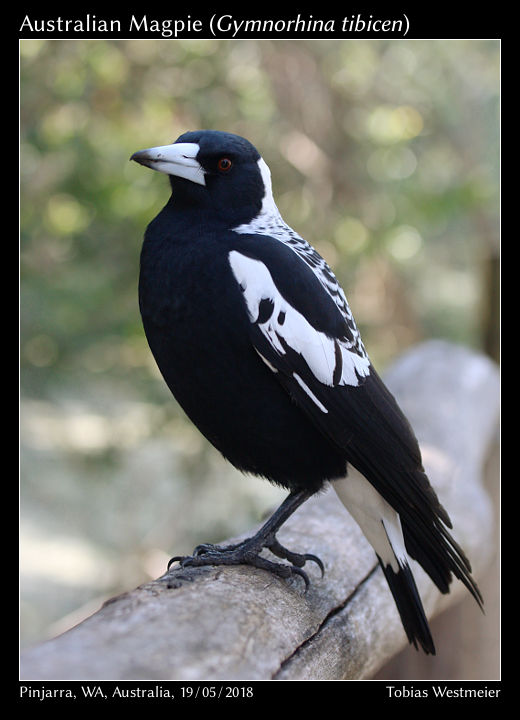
344 397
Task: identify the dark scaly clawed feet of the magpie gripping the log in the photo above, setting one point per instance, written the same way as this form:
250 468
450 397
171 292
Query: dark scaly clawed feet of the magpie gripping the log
248 553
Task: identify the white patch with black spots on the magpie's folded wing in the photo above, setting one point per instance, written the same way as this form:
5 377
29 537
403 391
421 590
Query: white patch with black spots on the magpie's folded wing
330 360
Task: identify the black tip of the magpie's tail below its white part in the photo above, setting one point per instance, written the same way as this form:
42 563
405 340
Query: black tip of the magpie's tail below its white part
409 605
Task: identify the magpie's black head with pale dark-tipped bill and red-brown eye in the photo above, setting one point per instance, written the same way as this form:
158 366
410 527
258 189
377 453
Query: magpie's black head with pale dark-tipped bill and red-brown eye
217 173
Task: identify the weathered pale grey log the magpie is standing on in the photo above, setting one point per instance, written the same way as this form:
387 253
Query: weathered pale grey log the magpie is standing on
243 623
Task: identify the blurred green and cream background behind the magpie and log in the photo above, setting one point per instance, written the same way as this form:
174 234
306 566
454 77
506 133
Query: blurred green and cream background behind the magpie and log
384 155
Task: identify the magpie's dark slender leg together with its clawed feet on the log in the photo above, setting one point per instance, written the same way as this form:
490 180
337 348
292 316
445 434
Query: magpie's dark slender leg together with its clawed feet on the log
248 551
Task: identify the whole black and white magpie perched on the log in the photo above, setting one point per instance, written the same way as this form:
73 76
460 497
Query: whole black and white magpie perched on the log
255 339
